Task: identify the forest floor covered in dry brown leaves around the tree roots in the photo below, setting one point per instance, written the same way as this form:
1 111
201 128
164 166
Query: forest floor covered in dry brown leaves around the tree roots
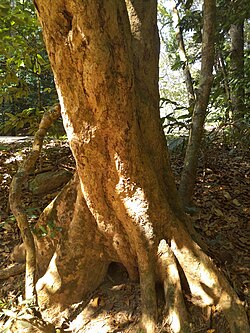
222 218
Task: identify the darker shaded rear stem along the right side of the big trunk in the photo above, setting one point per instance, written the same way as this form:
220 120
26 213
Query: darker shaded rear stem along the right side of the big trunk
142 16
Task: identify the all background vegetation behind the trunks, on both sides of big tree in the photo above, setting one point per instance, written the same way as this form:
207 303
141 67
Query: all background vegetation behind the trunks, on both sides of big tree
27 87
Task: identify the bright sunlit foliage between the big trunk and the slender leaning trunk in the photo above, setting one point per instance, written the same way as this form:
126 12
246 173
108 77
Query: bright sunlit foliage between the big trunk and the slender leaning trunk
175 114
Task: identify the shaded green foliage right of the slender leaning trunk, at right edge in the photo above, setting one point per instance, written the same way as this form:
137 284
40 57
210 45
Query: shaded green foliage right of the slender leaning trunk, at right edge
229 80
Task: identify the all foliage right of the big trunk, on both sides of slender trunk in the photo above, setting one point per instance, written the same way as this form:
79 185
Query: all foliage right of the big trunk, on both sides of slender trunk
226 80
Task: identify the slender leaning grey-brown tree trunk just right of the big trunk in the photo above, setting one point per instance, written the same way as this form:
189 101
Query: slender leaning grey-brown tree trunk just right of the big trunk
188 176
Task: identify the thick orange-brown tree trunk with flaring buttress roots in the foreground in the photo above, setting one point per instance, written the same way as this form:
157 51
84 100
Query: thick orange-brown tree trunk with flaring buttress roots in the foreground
122 204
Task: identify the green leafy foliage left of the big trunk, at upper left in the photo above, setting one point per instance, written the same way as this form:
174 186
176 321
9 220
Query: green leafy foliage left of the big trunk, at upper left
26 80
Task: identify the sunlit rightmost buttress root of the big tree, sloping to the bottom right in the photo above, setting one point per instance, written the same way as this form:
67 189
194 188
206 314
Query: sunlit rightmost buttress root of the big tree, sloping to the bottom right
207 284
